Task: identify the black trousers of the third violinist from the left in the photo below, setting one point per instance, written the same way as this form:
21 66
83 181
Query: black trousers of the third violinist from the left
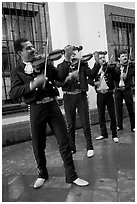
103 101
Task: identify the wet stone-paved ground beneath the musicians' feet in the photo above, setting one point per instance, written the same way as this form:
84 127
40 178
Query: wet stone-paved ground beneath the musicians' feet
111 171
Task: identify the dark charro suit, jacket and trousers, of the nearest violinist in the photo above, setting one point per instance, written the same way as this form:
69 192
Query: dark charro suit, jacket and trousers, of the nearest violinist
42 112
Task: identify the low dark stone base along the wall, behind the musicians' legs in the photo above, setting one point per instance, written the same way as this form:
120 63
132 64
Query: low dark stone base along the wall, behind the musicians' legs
20 132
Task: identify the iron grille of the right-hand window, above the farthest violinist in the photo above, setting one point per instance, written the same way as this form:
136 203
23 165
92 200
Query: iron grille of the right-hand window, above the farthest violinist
123 34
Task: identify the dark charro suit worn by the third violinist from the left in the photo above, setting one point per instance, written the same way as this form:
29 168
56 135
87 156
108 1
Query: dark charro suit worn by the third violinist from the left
105 97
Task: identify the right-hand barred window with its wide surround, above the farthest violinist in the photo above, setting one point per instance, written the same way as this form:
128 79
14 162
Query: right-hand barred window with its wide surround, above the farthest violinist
120 30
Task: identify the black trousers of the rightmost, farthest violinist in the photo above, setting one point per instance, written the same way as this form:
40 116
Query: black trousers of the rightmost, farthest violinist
126 95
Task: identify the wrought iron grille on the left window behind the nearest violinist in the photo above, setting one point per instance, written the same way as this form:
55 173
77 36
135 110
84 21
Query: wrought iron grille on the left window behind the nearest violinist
28 20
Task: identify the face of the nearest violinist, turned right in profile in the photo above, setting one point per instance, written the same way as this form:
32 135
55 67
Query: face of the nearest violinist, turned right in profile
28 52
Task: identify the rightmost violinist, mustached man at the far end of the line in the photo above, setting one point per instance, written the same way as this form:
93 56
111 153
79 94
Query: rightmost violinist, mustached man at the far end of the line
126 71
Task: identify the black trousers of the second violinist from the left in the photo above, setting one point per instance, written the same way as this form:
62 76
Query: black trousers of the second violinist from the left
79 102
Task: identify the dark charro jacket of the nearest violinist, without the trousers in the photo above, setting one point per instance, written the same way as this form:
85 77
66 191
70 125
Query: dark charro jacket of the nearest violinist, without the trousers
20 82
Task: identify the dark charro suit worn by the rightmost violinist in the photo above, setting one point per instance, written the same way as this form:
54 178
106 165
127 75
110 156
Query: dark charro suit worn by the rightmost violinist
125 93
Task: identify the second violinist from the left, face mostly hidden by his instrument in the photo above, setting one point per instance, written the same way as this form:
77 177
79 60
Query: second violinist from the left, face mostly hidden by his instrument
75 98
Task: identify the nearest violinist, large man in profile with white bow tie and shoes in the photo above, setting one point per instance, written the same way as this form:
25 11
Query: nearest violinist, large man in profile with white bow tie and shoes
40 93
